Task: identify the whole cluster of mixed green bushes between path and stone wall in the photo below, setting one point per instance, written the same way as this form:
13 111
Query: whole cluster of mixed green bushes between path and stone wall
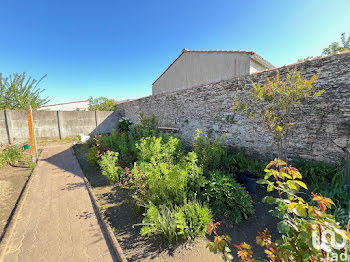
177 190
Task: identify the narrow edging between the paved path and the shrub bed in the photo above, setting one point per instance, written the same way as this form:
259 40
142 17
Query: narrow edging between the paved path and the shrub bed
107 228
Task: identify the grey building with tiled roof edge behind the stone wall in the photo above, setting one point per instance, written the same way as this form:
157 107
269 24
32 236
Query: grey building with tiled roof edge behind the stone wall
194 68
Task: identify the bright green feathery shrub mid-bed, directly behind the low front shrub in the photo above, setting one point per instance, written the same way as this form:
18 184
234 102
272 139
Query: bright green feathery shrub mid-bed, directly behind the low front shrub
164 183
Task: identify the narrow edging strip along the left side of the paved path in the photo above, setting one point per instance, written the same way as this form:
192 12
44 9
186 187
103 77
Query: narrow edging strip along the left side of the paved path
11 221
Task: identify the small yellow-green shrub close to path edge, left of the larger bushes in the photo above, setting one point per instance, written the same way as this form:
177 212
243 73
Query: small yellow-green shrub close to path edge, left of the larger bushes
109 167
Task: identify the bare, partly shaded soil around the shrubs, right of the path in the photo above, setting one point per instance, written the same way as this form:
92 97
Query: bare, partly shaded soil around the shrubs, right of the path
122 215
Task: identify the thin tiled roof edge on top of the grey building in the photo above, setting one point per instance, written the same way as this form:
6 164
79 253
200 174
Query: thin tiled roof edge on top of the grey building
253 55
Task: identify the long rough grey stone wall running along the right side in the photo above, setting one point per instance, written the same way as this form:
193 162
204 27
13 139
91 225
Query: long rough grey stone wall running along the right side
318 134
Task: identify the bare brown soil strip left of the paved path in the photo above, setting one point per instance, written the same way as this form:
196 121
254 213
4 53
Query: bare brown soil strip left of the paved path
12 180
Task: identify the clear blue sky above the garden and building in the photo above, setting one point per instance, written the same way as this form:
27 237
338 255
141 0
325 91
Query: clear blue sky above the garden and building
118 48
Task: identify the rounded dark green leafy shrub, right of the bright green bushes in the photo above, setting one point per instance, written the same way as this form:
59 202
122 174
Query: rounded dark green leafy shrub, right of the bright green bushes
227 198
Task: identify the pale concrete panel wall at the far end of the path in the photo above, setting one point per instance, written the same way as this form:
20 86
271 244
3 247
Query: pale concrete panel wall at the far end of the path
55 124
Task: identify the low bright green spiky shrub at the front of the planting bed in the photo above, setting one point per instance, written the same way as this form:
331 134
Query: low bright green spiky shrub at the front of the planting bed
176 224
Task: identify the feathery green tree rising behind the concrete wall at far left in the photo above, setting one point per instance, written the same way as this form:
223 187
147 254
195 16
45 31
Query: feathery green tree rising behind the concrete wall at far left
17 92
